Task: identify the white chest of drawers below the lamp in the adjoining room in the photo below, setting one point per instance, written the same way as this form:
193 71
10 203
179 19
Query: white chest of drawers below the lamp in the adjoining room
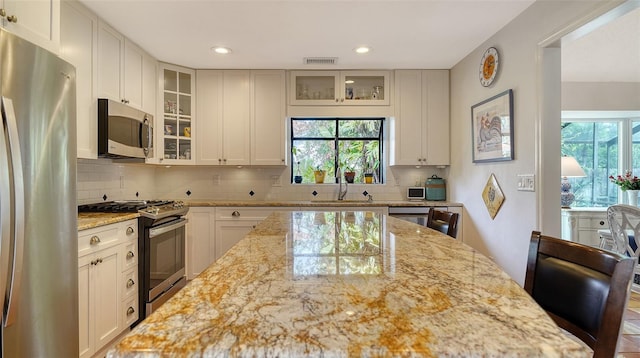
582 224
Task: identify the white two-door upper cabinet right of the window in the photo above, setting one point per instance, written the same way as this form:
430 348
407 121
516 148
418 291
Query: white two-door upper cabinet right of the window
420 128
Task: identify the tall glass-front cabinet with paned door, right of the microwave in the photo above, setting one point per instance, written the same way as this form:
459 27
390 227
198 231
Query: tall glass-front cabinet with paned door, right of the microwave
177 125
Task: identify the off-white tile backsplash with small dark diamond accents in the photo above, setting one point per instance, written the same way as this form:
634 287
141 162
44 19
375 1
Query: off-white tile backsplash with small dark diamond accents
126 181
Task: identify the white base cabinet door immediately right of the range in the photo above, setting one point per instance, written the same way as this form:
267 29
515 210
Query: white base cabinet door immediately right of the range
200 239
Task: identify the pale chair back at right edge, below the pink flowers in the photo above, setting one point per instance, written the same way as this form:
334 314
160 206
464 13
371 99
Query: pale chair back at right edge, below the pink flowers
624 224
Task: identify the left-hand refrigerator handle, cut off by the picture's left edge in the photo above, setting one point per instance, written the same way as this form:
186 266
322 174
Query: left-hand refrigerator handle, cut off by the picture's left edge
6 213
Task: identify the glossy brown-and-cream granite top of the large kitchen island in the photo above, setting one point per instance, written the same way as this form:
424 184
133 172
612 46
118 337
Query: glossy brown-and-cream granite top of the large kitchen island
340 284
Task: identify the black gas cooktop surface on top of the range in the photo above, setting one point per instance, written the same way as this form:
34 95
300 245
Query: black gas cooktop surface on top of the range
149 208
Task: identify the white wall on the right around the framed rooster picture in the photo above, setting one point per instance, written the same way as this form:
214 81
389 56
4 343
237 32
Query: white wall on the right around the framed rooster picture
506 238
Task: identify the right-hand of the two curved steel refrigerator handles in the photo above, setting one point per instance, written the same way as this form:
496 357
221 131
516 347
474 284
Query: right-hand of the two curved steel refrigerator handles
8 114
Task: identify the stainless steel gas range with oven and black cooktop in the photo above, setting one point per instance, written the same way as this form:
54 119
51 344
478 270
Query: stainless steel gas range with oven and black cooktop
161 246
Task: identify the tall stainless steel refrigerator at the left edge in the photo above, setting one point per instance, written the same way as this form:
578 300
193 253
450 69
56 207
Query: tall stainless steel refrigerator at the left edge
38 208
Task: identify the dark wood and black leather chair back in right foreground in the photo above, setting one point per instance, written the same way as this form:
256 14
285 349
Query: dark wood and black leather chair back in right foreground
584 289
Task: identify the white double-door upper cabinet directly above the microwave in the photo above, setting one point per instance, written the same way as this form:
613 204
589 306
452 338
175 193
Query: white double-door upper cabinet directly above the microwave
125 72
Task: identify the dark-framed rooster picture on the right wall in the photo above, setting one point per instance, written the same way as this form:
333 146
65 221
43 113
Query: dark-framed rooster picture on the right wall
492 128
